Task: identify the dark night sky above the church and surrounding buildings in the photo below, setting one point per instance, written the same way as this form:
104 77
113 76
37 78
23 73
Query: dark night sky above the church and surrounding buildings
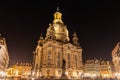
97 24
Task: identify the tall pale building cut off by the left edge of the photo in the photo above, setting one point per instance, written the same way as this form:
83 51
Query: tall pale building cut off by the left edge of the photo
4 57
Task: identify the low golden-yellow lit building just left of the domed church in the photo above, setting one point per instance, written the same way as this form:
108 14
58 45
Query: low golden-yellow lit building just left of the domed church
22 70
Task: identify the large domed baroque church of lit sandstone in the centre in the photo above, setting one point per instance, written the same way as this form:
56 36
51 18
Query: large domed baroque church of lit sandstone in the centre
54 55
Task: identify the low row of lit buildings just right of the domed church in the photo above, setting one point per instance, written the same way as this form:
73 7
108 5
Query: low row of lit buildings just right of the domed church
94 68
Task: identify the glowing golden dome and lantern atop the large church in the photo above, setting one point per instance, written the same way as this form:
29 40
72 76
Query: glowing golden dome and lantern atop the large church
60 30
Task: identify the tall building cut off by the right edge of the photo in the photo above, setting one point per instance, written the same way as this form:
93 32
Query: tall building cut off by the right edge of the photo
116 59
